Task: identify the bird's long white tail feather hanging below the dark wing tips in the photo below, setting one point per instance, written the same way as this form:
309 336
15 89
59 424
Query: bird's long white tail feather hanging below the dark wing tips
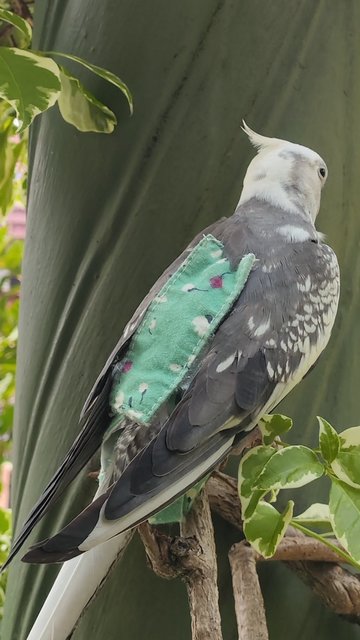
76 584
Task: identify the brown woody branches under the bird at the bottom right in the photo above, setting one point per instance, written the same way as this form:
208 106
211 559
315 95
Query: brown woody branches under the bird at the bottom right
193 558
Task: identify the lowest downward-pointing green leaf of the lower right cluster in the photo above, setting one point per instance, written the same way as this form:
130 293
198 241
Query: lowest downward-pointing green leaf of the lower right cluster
266 527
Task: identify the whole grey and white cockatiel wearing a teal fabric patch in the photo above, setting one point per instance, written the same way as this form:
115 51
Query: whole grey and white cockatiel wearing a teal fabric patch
226 332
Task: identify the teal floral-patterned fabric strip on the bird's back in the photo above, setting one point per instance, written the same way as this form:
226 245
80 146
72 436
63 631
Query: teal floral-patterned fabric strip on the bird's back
175 328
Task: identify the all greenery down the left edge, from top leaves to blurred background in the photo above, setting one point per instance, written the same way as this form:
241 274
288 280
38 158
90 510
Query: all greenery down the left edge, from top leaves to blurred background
30 83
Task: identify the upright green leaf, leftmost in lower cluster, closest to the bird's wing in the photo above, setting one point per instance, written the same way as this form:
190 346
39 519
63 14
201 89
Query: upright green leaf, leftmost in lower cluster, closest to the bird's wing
250 467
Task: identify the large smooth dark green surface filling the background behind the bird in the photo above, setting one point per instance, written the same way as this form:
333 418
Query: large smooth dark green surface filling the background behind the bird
106 214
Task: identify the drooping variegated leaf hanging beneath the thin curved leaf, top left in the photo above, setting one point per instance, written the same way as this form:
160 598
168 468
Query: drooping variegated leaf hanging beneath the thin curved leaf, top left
81 109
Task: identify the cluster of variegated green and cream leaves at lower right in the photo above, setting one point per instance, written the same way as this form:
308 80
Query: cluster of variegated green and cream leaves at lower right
277 466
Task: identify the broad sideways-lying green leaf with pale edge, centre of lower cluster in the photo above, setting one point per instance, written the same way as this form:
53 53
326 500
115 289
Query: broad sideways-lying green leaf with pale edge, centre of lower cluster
290 468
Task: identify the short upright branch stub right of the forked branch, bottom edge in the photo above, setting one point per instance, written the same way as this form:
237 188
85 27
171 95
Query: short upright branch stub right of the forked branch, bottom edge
249 603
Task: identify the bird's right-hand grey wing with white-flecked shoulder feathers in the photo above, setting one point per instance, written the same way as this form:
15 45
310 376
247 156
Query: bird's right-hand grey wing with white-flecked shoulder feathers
276 331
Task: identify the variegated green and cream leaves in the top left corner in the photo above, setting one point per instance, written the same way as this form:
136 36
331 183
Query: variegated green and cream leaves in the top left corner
31 82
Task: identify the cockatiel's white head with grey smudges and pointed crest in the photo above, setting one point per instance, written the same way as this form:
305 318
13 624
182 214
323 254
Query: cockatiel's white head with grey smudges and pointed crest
284 174
